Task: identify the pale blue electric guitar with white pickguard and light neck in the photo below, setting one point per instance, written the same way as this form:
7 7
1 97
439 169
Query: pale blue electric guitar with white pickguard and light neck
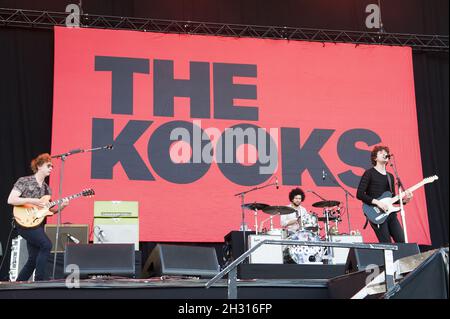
377 215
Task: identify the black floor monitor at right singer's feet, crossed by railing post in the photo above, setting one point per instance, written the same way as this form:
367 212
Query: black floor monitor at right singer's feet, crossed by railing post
358 259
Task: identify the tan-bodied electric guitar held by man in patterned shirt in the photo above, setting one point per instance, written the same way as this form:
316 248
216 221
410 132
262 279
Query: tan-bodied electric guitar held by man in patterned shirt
30 216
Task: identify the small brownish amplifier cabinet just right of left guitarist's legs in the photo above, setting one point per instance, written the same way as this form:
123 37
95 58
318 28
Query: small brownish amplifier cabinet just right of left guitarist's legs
68 234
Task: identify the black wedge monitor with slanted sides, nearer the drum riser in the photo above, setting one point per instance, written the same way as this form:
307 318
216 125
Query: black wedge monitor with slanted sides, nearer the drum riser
175 260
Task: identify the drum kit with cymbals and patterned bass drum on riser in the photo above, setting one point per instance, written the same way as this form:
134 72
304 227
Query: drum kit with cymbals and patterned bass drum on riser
309 229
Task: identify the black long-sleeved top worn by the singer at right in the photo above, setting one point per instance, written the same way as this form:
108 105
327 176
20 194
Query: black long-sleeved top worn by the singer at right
373 184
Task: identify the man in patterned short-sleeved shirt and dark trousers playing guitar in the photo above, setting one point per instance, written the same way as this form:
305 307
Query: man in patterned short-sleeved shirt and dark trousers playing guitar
29 190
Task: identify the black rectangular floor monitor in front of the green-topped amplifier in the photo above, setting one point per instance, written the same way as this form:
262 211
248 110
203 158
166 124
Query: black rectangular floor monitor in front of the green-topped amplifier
101 259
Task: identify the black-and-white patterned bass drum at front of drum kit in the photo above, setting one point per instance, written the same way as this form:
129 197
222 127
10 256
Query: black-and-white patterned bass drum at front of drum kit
305 254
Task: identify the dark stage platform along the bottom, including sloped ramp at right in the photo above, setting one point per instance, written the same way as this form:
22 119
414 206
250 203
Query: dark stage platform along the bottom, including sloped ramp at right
424 275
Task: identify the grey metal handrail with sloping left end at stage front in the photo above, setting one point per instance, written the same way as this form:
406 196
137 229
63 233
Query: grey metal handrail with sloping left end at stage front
232 268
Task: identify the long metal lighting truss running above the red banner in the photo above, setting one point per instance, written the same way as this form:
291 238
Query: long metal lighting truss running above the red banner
47 19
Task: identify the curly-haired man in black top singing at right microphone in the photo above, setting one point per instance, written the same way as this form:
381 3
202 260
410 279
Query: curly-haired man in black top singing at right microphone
374 182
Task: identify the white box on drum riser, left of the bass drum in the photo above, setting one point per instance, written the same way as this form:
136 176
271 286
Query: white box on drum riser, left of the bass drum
265 254
